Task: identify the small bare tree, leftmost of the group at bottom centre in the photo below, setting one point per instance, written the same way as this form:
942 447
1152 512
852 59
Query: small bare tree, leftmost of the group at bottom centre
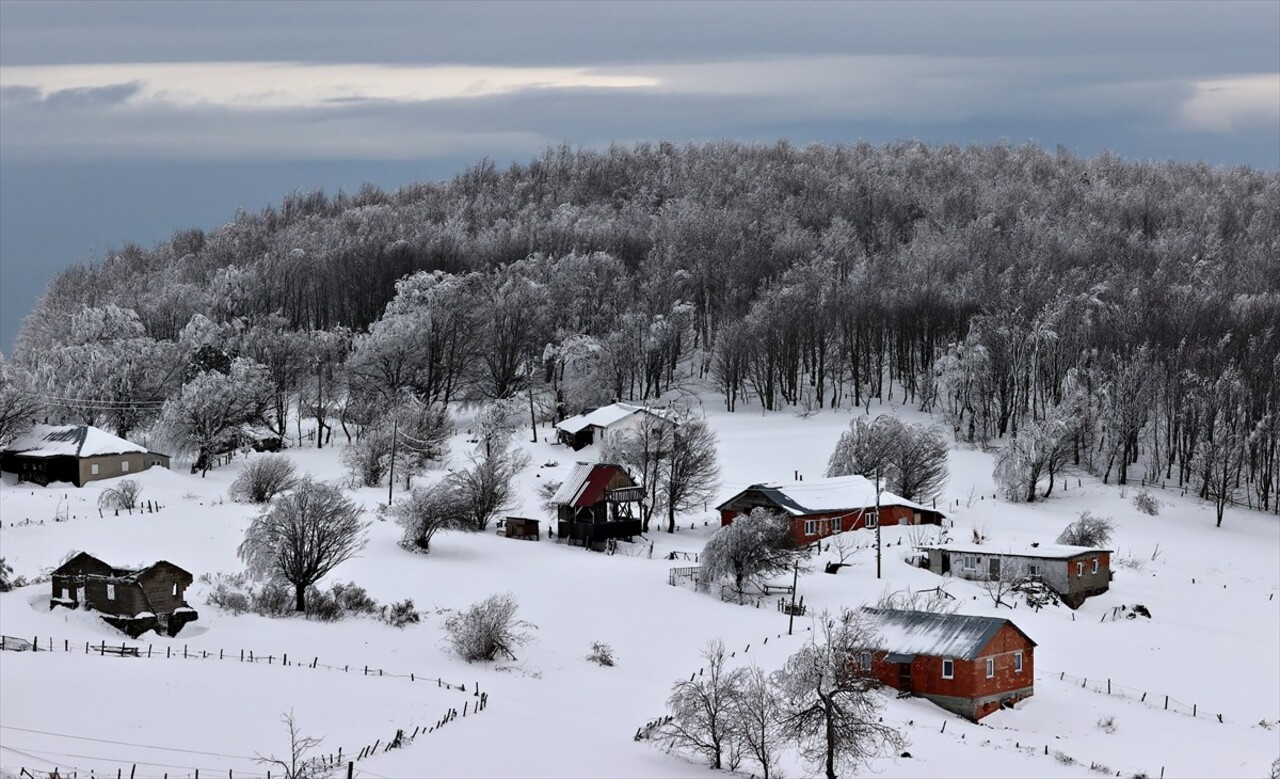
702 708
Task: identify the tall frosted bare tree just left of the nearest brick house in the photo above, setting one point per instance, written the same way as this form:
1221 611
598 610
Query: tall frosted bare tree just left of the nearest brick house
830 703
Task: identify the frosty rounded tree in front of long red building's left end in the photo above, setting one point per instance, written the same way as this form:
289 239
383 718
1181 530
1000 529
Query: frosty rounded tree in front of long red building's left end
749 551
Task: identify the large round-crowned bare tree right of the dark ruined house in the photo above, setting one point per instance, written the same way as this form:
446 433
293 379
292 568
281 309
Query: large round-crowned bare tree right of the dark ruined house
303 537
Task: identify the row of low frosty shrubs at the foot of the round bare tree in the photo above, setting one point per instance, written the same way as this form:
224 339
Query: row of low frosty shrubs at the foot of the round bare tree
239 594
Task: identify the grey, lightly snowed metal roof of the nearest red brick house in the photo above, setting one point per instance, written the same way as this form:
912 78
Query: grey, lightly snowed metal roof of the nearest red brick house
939 635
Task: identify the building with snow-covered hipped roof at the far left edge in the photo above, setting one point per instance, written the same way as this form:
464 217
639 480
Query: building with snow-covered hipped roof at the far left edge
76 453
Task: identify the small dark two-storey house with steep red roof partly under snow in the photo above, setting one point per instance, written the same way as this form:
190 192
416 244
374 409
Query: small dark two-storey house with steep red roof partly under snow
595 505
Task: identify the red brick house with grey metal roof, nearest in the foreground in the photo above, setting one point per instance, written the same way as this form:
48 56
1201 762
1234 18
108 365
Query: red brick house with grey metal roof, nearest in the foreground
970 666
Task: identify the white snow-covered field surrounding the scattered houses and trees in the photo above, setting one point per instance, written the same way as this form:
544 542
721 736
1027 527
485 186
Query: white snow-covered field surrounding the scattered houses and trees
1212 643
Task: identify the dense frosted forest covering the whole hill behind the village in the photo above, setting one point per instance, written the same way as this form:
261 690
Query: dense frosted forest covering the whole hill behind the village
1096 314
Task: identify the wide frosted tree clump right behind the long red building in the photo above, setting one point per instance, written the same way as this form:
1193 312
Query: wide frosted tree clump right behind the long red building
911 459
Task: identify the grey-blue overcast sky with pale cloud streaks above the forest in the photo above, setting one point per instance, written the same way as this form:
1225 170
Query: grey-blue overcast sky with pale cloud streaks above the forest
129 121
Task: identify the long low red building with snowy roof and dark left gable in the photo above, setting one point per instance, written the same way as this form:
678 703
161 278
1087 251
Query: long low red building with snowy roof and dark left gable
822 507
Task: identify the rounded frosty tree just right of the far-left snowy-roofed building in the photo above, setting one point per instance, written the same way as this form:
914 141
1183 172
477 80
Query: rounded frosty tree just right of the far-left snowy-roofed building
205 418
